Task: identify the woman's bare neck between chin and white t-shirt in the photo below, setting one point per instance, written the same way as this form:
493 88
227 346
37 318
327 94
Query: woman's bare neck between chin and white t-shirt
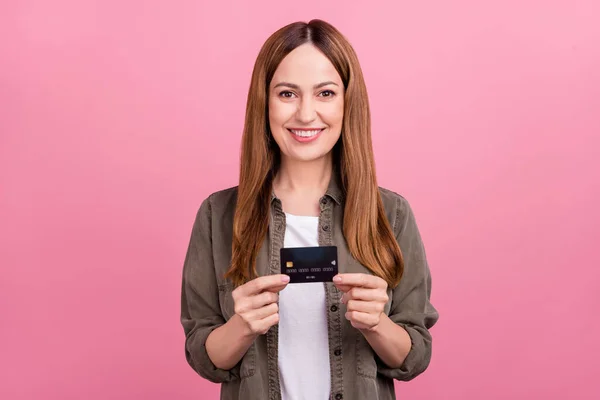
304 177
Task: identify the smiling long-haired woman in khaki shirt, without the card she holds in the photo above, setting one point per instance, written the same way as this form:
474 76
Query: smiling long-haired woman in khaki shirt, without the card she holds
307 178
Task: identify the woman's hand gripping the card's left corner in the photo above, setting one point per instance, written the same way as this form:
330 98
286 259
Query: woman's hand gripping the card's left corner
255 303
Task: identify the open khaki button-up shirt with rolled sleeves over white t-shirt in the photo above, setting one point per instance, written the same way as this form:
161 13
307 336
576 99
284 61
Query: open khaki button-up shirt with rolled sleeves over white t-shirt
356 371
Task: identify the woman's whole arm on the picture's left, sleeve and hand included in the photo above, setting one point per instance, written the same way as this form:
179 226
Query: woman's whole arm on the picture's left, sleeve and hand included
214 348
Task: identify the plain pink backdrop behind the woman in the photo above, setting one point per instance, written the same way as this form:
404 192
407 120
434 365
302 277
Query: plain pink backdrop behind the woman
118 117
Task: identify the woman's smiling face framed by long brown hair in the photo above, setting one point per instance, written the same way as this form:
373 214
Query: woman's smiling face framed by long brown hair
306 104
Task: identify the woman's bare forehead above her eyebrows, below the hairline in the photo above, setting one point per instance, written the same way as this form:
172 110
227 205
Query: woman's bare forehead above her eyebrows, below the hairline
306 65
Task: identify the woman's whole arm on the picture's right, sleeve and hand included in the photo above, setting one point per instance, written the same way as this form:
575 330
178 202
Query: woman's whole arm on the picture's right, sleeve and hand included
402 341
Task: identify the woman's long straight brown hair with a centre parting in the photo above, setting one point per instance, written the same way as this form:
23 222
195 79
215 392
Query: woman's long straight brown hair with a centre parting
366 229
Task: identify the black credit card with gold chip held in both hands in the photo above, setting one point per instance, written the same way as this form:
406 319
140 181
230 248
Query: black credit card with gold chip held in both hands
309 264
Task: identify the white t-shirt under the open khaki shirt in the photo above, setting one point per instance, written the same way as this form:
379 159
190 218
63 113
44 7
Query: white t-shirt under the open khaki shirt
303 359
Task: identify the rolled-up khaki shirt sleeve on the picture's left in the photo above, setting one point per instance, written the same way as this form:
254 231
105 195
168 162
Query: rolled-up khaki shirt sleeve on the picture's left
200 308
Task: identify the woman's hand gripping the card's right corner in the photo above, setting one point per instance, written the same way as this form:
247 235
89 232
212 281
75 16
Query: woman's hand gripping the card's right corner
365 297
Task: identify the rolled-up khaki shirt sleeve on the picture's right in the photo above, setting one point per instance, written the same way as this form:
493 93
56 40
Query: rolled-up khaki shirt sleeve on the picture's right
411 307
